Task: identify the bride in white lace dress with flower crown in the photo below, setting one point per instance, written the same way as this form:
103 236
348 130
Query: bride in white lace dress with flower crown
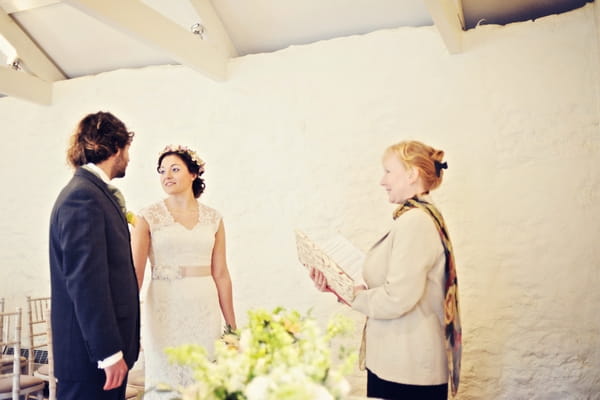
190 286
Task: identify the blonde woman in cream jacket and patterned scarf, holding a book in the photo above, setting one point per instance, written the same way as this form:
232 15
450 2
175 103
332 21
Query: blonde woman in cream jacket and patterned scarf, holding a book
412 337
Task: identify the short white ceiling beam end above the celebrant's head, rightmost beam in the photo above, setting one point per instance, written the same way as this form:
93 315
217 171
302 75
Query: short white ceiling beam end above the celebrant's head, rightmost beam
448 17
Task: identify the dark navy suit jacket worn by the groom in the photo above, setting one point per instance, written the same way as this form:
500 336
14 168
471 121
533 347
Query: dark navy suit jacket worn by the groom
95 301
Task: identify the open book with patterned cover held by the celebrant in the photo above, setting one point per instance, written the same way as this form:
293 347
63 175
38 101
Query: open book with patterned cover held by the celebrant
336 257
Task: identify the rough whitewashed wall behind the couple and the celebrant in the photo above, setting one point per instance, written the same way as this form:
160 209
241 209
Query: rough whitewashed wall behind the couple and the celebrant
294 138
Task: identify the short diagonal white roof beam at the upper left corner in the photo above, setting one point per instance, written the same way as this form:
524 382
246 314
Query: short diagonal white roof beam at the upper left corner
33 58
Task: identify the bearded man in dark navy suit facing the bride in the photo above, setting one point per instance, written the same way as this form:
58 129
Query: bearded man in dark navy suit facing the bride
95 301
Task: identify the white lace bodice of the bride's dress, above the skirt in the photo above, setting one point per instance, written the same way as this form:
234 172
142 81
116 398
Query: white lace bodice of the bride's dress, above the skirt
177 245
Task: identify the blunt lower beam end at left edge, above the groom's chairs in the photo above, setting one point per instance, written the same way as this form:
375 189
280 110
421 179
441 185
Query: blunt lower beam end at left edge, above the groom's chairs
24 86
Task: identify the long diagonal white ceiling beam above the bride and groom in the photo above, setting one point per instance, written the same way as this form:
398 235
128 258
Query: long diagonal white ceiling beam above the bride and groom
148 25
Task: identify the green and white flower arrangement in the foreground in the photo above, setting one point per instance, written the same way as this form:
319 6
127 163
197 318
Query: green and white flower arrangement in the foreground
280 355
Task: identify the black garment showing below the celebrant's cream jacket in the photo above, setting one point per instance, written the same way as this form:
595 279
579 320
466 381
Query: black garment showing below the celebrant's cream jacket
380 388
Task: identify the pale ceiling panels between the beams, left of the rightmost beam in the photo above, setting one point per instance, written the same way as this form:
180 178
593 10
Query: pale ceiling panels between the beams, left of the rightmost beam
82 45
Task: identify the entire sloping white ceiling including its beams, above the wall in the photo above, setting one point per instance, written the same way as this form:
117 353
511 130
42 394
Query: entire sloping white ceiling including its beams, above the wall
84 37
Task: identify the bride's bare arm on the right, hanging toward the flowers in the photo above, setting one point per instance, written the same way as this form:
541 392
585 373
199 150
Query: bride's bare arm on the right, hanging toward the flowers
221 276
